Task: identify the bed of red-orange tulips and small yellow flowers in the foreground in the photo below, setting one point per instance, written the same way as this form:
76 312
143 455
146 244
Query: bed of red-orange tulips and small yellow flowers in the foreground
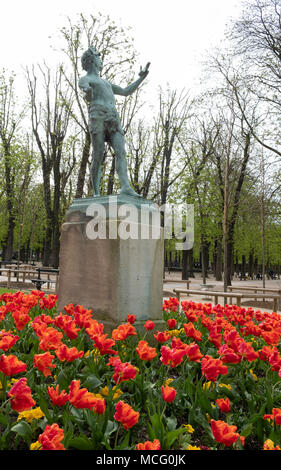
211 380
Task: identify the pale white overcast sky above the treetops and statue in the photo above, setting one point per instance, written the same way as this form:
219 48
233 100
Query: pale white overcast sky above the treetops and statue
171 34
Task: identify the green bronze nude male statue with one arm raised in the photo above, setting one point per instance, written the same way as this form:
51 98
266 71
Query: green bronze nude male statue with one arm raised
104 121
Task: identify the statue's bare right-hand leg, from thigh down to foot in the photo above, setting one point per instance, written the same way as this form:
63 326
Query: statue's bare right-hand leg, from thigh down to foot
118 145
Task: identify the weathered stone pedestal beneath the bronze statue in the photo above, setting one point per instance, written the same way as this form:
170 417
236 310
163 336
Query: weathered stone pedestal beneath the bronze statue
118 272
